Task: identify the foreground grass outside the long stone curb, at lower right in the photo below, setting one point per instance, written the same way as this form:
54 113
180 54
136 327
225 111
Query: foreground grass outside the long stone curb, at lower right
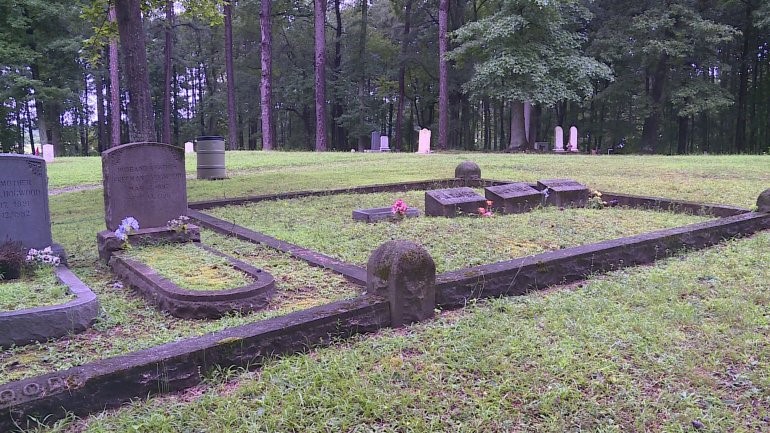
682 346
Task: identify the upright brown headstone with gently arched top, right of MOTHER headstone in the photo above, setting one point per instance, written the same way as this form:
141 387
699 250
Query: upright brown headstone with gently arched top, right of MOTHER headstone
145 181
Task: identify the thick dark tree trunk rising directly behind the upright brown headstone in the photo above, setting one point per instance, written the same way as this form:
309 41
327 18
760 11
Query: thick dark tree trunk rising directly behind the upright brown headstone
141 126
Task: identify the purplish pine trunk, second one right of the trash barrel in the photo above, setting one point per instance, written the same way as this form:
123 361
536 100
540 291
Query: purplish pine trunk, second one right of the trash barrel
266 75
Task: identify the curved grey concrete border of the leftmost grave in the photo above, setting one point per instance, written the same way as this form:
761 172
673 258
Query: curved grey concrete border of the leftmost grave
29 325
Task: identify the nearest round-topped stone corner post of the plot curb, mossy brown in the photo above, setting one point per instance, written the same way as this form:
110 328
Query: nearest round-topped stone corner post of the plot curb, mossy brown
404 273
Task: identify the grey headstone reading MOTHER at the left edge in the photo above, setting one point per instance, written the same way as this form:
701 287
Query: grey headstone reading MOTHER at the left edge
24 212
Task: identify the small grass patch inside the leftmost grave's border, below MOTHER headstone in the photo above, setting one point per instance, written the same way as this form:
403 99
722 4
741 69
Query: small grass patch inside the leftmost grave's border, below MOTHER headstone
33 290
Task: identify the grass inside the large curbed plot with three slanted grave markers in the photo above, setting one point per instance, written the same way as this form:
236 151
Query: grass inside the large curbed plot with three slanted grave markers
325 224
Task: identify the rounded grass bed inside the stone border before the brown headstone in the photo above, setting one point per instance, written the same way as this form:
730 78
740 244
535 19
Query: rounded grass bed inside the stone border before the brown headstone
190 267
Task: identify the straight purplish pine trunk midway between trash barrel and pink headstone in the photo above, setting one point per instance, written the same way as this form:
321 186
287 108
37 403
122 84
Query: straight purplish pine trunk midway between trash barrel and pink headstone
320 75
